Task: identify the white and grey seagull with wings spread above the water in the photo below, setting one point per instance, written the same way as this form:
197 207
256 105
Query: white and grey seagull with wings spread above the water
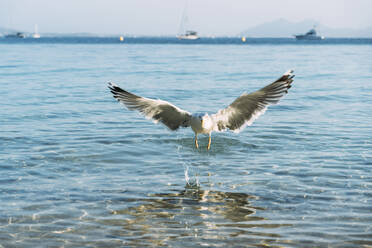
235 117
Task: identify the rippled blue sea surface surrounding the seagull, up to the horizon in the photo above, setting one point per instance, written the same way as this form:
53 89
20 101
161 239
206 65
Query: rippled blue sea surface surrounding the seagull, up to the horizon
79 170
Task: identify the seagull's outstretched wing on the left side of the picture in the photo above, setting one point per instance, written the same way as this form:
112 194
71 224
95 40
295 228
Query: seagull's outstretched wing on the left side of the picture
165 112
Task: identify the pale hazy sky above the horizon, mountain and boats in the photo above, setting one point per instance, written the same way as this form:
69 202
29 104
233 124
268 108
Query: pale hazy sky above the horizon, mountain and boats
162 17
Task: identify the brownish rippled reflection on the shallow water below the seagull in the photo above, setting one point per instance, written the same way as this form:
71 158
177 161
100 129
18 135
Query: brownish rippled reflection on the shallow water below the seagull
203 216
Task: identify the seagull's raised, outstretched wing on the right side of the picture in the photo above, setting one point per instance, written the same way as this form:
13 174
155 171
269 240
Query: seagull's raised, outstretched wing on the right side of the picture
248 107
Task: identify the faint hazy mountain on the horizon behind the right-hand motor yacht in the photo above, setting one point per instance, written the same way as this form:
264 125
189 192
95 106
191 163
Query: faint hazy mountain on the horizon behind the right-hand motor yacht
284 28
